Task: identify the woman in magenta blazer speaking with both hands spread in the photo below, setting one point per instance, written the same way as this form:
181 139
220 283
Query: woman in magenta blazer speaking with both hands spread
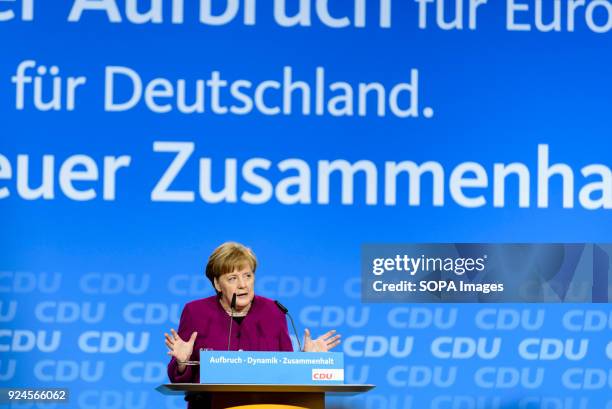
235 319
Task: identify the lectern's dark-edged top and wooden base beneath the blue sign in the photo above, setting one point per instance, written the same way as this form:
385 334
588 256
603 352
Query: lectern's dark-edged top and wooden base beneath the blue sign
224 396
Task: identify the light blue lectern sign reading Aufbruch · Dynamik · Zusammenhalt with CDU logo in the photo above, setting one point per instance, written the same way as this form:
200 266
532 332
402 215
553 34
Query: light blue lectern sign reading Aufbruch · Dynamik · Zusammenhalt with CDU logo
279 368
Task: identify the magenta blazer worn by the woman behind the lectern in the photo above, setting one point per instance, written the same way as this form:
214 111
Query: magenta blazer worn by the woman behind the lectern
263 329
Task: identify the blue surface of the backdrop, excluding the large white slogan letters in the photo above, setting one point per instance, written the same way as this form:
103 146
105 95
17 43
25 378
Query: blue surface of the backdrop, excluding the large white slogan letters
495 93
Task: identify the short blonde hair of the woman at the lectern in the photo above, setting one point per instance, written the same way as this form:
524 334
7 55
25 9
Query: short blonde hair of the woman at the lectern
228 257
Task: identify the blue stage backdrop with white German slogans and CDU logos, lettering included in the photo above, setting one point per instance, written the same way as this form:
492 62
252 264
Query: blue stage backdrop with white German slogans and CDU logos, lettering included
136 136
